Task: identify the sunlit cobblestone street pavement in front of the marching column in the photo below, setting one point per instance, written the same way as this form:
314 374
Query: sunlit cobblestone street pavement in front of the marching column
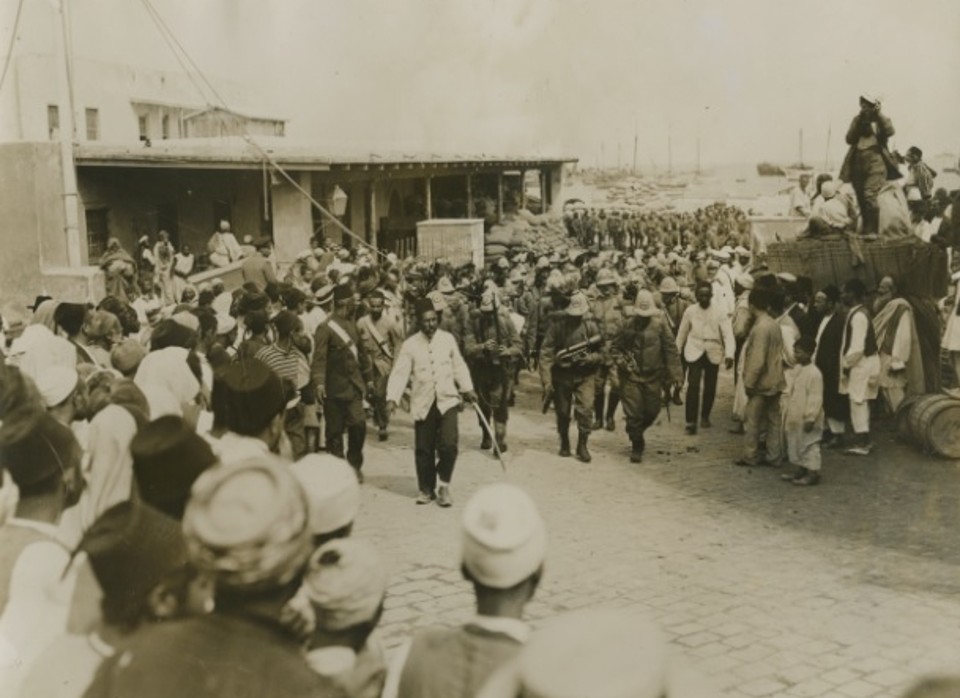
845 589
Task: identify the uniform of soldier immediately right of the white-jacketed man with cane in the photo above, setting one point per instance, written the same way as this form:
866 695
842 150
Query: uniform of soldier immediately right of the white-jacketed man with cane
493 371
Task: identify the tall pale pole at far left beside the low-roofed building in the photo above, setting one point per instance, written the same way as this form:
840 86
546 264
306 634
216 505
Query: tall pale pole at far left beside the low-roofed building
68 136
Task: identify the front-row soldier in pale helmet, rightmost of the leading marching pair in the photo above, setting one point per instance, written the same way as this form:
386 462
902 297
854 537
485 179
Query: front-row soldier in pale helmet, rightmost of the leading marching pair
648 360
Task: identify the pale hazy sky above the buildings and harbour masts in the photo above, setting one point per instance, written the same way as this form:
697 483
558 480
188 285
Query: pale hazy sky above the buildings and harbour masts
563 76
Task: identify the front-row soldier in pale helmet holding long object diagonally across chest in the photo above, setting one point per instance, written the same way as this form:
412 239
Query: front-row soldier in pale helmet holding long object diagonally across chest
570 381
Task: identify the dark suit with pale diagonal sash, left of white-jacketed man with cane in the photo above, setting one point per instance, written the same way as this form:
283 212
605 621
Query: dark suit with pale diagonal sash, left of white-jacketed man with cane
343 376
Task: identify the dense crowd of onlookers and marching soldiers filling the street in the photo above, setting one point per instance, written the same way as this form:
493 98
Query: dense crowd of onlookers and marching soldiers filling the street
195 455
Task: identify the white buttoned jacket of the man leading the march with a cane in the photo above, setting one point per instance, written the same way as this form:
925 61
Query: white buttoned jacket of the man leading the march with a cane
438 371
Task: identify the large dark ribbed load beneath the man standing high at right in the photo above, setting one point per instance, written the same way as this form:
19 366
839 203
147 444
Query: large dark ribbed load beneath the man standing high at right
919 268
